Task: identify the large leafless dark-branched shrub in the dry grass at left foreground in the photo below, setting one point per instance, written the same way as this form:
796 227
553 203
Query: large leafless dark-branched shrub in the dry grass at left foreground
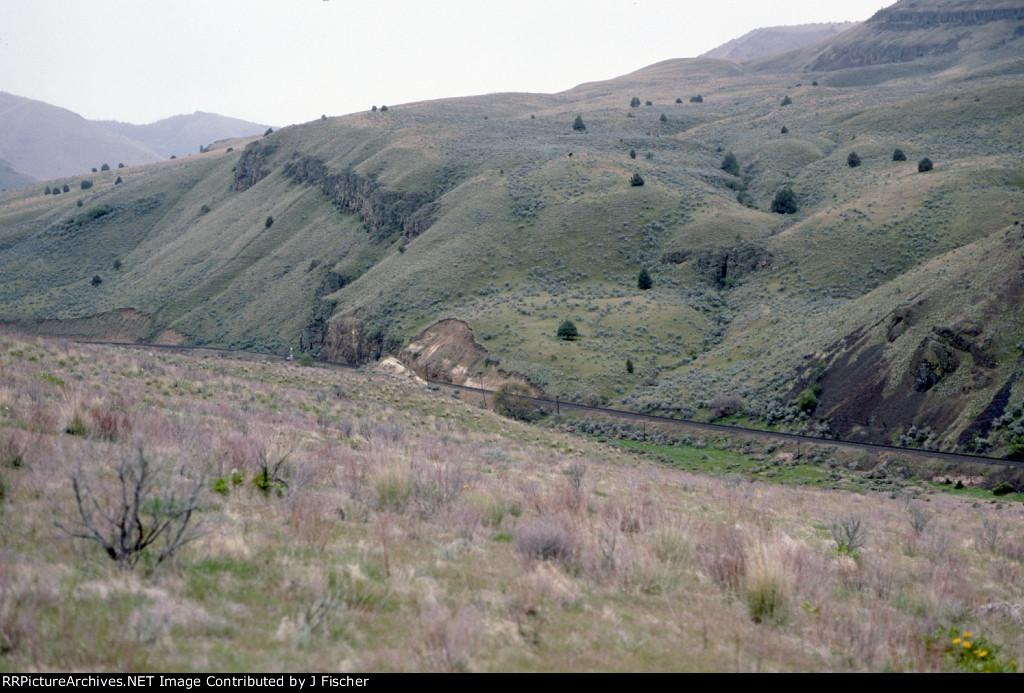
147 507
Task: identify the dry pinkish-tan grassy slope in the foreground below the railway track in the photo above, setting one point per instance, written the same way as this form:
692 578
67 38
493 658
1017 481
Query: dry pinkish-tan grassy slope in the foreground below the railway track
356 522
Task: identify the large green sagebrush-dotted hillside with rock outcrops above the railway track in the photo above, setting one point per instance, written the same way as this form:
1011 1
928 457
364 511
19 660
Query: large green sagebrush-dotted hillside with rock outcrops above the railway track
887 308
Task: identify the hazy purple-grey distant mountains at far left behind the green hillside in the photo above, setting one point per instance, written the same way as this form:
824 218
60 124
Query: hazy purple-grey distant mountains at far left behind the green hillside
41 142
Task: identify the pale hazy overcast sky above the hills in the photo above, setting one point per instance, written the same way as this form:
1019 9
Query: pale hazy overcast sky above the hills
284 62
